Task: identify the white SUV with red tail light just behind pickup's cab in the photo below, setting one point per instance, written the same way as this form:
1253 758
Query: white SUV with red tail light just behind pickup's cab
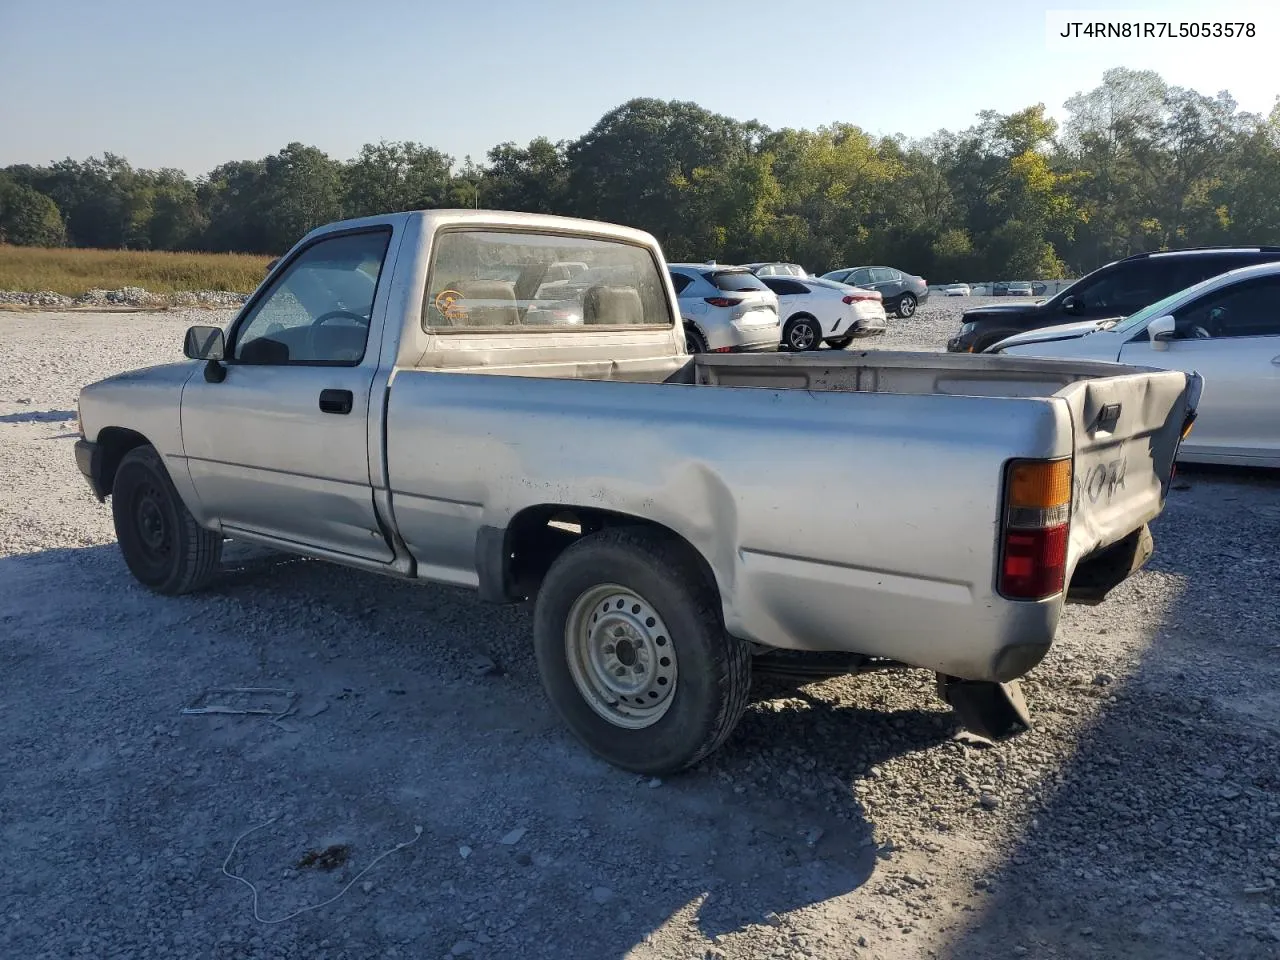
725 309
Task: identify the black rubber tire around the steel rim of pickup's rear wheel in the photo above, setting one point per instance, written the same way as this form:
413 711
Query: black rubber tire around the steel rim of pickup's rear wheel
715 670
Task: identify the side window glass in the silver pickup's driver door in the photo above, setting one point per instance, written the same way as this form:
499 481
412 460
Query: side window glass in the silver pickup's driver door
318 310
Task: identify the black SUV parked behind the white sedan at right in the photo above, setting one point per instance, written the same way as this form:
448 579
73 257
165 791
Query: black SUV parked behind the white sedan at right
1114 291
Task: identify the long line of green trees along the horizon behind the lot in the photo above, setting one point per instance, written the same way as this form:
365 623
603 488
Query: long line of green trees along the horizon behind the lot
1137 166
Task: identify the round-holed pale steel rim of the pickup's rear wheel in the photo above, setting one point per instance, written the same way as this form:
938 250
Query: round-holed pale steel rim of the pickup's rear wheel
621 656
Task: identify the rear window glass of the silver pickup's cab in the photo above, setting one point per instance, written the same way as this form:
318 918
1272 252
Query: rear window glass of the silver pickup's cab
484 280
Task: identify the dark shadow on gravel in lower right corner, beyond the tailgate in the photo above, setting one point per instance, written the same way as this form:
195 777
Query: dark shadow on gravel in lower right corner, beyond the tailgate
1153 838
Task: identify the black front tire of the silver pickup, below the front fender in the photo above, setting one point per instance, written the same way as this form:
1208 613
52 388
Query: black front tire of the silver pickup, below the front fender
163 547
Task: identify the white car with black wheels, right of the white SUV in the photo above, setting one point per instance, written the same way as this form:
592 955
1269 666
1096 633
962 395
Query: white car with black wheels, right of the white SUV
813 312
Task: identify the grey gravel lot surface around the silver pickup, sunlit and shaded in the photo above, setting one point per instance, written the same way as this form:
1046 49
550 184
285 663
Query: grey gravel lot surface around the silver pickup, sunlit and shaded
1141 819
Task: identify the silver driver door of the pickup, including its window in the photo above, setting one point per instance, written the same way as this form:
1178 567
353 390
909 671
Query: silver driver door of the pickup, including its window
281 446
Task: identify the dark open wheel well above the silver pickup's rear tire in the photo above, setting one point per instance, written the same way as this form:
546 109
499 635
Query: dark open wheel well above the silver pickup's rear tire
537 536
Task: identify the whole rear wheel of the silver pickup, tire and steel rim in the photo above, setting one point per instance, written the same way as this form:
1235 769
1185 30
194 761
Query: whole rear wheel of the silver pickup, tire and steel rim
633 652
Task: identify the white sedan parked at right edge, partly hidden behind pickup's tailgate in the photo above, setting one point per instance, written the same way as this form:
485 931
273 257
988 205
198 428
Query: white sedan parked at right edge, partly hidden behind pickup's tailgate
1227 330
